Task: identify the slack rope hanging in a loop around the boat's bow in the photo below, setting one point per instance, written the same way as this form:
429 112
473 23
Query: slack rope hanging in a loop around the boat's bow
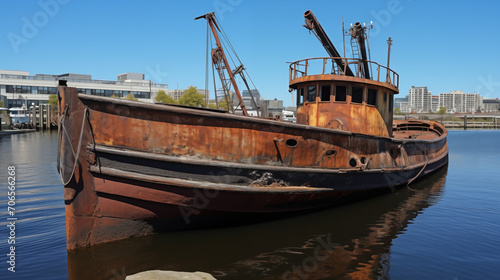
62 130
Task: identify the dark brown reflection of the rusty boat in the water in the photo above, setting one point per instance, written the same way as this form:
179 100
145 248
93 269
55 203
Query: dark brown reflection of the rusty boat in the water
349 242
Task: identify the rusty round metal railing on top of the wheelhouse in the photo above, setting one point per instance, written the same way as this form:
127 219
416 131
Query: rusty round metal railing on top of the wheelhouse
328 66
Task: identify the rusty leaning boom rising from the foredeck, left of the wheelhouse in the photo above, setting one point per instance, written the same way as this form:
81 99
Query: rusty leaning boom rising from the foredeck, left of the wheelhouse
219 54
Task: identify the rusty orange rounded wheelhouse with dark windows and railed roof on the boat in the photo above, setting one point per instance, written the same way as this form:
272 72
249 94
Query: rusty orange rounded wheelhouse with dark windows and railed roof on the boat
337 101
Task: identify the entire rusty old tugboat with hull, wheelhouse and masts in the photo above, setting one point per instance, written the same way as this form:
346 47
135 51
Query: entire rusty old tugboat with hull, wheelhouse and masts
131 168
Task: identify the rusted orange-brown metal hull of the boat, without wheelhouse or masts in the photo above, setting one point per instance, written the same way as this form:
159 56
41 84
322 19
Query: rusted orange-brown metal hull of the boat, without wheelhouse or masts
133 169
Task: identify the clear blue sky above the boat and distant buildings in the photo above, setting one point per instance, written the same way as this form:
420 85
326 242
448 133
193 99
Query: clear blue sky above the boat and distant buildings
440 44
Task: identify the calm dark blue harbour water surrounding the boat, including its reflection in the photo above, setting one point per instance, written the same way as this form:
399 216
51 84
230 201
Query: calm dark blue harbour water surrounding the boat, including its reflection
444 227
